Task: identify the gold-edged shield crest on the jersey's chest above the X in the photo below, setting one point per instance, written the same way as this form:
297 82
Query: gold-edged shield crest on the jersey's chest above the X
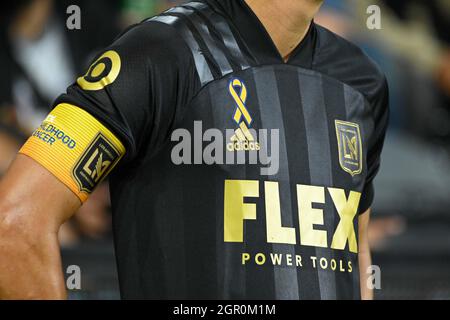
350 147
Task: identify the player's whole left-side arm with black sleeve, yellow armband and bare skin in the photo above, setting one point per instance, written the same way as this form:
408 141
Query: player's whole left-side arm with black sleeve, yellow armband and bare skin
116 107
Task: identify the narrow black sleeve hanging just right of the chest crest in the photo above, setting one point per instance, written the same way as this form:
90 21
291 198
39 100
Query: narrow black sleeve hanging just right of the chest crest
380 107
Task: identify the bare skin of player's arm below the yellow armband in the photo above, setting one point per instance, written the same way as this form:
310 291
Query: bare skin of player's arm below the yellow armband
33 205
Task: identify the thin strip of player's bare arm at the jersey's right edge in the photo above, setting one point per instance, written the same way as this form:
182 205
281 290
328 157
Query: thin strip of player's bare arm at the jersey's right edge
364 256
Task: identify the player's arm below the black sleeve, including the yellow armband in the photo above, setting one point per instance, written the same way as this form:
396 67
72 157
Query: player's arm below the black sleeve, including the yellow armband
55 172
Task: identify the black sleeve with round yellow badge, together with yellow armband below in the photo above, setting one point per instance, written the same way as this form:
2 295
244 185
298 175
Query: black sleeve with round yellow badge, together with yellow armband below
128 99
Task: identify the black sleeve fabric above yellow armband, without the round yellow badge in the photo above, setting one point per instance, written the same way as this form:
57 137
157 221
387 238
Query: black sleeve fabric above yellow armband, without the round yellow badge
142 110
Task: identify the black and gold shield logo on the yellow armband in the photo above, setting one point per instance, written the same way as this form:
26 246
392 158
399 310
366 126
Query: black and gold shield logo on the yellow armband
98 160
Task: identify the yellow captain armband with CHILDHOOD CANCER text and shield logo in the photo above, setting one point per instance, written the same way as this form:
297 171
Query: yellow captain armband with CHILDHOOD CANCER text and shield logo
76 148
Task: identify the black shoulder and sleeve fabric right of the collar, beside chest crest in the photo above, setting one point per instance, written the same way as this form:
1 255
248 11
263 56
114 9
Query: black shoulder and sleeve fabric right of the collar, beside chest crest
347 63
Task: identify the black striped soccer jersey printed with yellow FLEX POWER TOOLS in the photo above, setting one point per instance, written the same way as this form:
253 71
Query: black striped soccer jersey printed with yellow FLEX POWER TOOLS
243 175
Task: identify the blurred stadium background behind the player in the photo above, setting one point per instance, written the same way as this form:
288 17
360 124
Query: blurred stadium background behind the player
410 231
